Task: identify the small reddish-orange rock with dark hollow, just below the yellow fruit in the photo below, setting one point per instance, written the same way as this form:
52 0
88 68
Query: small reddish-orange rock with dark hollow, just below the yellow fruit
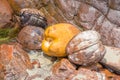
63 68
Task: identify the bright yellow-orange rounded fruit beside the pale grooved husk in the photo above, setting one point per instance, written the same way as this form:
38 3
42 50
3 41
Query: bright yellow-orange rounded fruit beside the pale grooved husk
56 38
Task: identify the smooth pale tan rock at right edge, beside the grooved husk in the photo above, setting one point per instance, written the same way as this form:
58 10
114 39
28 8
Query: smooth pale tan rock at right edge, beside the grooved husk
112 59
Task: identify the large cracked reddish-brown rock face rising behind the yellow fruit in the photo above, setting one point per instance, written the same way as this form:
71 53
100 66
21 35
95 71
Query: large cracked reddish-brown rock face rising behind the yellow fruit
100 15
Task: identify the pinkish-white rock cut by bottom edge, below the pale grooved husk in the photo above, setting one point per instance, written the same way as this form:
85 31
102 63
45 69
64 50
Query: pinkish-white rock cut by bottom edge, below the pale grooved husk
85 74
